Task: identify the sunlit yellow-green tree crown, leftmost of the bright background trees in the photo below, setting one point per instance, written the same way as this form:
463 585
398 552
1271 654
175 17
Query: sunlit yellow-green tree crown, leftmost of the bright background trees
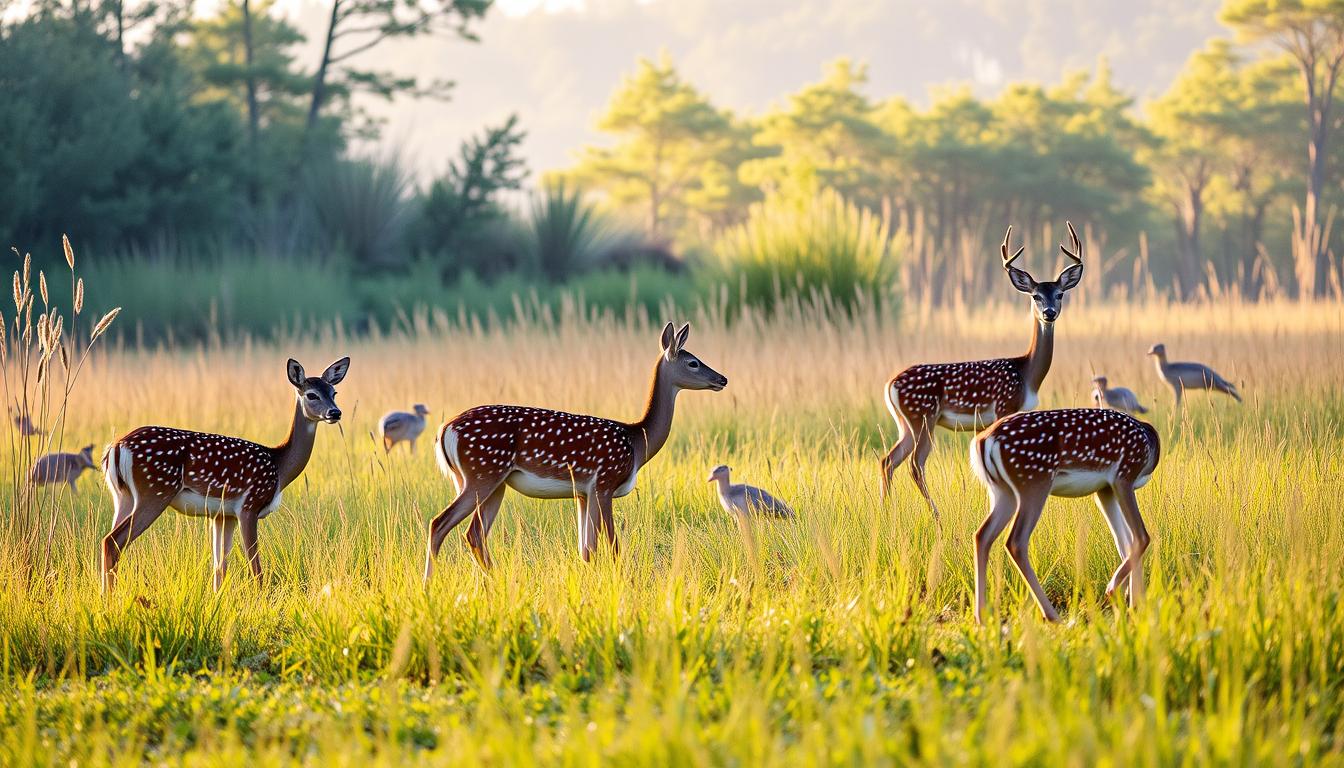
674 158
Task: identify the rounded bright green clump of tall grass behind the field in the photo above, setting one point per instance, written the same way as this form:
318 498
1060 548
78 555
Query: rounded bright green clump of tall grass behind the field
810 248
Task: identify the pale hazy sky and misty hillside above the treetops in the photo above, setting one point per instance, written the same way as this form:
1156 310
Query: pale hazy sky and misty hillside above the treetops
557 63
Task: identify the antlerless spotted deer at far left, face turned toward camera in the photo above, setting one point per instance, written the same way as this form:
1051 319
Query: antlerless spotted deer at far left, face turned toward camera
232 482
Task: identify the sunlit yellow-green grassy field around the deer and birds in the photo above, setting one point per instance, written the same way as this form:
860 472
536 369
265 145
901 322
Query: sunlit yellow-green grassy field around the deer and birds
842 638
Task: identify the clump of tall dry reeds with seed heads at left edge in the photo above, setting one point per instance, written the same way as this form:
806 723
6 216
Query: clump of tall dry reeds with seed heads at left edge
38 377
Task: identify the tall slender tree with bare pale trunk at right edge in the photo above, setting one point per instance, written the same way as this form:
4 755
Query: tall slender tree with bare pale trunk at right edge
1312 33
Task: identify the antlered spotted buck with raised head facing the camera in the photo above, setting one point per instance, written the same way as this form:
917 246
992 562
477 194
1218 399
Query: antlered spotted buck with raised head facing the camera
968 396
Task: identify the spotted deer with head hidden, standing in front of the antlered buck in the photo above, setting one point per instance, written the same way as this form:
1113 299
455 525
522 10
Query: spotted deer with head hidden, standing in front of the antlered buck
1027 458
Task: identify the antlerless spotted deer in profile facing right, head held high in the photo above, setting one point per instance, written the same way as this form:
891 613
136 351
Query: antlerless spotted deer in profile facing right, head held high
554 455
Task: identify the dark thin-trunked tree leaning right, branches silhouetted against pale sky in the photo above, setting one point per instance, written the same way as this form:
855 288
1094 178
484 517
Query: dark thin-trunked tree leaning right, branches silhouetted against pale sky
355 28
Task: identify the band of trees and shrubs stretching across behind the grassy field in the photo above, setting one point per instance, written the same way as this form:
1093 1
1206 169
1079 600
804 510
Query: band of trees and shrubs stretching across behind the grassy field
155 135
